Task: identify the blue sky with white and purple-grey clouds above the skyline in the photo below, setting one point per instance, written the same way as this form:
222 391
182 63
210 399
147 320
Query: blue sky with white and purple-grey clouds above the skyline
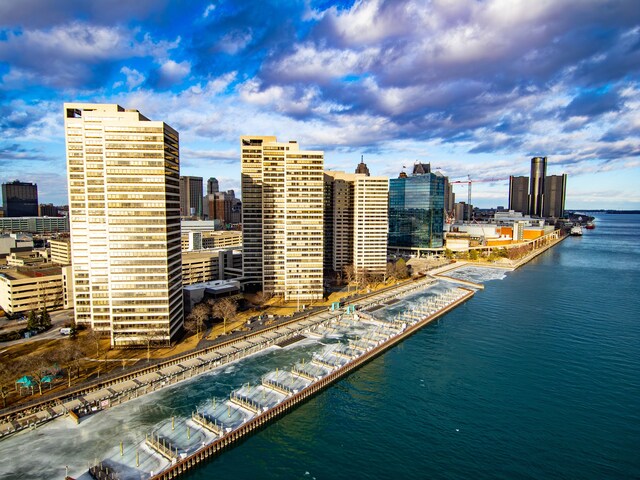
473 87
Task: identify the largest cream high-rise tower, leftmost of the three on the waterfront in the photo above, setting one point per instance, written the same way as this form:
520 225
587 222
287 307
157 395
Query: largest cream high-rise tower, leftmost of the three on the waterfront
124 207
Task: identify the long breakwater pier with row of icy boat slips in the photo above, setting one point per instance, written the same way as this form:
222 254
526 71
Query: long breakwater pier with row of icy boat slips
213 428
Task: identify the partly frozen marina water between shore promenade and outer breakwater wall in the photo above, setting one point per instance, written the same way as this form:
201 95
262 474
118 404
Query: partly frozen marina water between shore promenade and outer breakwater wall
117 435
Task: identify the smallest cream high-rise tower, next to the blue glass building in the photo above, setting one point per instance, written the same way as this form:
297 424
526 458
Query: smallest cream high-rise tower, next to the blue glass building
356 222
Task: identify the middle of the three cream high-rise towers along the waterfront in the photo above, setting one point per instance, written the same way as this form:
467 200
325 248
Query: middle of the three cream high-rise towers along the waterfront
282 210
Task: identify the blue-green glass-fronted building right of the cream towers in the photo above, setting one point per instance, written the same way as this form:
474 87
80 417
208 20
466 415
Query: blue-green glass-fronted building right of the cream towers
416 209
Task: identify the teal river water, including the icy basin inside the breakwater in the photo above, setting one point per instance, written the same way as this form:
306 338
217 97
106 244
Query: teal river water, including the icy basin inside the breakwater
537 376
